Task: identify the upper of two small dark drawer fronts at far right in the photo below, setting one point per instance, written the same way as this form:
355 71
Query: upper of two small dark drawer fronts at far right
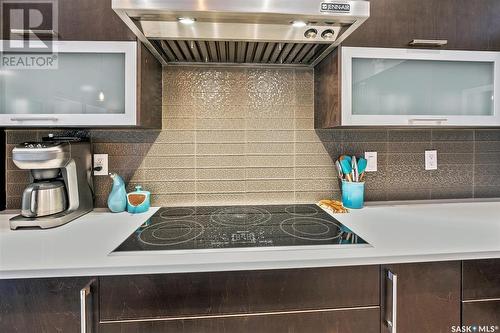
481 279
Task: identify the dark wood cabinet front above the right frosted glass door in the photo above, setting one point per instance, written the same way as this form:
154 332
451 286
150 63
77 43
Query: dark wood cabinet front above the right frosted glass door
464 24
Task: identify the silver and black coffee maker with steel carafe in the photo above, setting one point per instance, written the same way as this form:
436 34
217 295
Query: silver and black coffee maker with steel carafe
61 187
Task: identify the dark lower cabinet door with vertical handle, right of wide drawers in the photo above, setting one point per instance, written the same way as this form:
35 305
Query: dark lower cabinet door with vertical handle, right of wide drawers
421 298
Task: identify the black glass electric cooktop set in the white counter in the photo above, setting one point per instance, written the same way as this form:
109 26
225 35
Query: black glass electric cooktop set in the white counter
186 228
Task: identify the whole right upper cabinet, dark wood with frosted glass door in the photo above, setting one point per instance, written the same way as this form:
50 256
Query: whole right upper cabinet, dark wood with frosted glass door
450 77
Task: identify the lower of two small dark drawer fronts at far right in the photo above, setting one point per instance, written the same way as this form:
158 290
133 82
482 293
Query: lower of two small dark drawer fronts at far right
481 313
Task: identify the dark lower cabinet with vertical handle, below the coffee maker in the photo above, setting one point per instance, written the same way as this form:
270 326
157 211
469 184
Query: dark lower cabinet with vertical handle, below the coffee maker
48 305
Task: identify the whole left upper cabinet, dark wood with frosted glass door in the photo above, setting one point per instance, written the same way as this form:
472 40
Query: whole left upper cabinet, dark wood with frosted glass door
91 72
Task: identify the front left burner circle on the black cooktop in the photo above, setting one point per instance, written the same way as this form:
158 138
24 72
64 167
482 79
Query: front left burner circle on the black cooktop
171 233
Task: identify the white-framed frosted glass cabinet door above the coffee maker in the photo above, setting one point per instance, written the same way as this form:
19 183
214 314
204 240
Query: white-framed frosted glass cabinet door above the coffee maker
85 84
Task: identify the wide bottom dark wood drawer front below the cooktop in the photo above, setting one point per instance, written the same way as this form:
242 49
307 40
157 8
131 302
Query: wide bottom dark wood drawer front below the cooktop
352 321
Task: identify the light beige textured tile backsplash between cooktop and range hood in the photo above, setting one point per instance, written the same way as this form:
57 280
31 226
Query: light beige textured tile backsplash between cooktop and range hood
252 129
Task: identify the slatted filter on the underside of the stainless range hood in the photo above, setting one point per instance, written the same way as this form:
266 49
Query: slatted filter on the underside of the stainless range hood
195 51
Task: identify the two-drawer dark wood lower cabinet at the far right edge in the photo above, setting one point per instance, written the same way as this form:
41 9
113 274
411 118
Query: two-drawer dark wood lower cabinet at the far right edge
481 293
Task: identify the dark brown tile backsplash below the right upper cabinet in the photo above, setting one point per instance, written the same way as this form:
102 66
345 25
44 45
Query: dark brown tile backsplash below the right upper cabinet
468 161
